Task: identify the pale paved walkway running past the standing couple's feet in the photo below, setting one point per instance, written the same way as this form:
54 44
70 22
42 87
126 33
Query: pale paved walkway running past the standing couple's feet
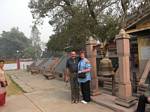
44 96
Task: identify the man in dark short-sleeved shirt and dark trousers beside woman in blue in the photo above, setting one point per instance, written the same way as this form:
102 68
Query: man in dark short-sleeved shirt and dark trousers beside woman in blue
71 73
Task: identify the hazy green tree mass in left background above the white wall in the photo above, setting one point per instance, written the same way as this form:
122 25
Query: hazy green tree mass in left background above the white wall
15 44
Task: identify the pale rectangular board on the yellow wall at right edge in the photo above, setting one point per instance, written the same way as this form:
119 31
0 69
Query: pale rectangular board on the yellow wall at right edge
145 53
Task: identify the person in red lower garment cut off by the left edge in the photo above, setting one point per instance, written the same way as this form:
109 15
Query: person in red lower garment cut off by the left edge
3 84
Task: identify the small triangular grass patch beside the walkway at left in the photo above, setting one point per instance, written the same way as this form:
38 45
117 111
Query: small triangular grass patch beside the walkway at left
13 88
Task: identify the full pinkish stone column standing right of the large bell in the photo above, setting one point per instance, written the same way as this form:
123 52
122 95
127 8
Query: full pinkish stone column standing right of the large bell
123 50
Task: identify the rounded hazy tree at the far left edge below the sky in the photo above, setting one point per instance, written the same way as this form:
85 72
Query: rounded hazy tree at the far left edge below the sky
11 42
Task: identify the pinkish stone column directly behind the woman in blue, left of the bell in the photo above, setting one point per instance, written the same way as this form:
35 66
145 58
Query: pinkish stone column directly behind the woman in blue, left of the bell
91 55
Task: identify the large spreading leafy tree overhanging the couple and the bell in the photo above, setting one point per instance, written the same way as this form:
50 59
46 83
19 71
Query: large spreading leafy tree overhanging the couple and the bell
79 19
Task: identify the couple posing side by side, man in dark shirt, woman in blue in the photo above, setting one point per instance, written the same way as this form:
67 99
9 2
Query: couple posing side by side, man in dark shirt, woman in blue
78 71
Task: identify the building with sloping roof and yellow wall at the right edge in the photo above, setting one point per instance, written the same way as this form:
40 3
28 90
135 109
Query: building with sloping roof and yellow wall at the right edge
138 27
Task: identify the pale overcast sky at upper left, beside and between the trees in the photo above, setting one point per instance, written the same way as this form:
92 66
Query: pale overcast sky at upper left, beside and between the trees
15 13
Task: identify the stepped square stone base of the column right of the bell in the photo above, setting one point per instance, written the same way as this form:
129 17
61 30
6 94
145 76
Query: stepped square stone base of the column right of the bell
126 102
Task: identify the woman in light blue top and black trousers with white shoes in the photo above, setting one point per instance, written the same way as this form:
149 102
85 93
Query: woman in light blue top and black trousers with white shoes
84 68
